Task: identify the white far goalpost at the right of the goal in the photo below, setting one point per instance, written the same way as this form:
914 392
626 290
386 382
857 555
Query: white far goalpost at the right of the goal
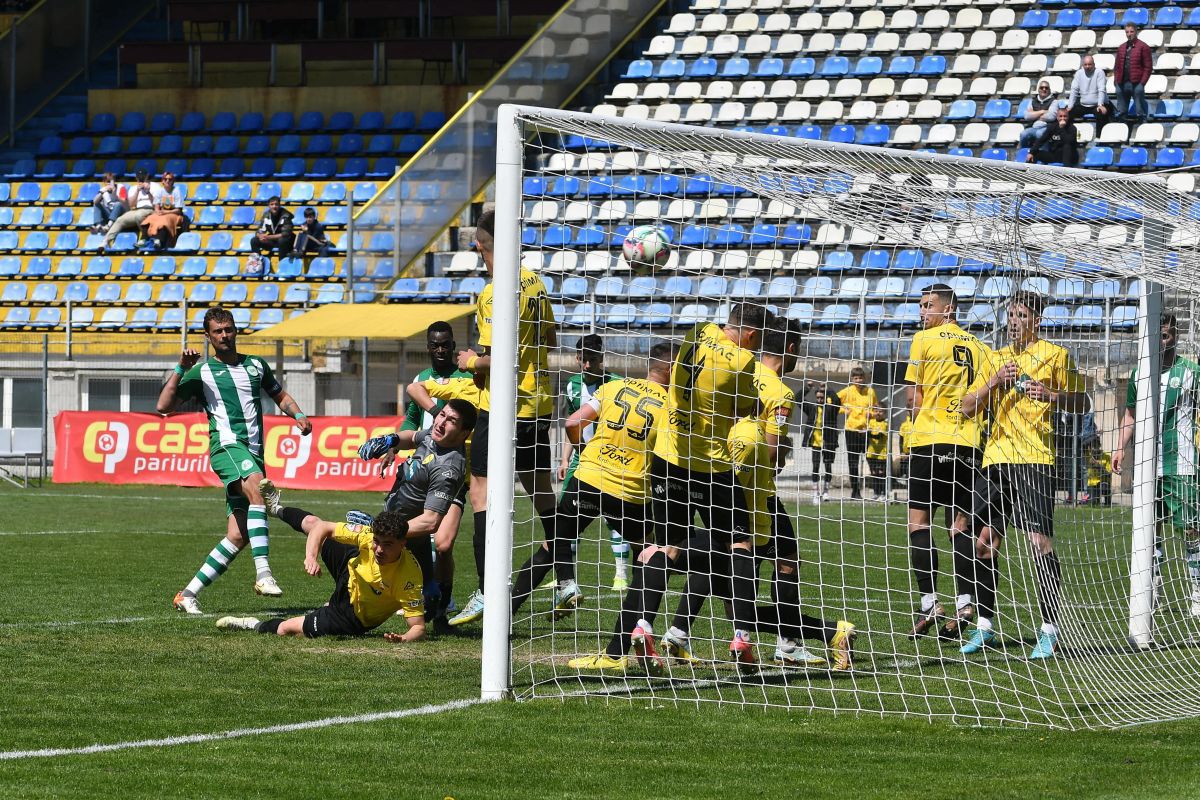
1145 453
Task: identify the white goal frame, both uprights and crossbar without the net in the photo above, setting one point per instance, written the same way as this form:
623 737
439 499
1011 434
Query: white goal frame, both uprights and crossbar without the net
515 123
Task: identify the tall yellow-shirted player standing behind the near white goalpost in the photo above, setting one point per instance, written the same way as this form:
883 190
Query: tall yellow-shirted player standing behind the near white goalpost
537 335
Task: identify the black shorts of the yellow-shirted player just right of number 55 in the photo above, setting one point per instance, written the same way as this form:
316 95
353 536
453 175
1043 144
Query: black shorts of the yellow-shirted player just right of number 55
679 495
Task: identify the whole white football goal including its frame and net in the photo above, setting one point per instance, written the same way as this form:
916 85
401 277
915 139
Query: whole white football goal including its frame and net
1070 593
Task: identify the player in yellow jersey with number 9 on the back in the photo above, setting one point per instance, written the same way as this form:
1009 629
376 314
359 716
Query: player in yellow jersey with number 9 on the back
944 461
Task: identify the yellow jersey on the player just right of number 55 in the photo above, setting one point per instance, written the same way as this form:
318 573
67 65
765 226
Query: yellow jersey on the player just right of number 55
712 387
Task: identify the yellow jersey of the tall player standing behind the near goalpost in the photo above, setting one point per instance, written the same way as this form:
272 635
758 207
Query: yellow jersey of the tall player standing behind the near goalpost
536 323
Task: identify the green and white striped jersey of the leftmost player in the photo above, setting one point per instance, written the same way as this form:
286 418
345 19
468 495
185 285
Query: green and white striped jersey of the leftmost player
232 398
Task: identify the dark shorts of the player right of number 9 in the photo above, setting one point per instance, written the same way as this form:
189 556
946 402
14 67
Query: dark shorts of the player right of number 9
1022 494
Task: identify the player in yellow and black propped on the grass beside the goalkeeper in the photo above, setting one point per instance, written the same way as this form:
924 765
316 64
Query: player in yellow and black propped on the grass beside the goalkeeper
374 574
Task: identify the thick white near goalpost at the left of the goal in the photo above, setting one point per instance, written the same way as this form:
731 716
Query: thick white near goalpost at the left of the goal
497 679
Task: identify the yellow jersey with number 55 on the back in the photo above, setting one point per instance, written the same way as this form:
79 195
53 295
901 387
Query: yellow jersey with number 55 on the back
617 459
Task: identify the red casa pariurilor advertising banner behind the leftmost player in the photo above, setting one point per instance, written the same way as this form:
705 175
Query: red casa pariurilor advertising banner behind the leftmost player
116 448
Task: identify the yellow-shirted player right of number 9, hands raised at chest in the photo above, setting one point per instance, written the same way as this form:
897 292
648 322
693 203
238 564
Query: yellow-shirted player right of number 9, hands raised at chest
1022 388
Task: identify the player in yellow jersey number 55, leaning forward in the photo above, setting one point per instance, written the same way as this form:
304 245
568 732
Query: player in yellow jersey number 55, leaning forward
611 482
